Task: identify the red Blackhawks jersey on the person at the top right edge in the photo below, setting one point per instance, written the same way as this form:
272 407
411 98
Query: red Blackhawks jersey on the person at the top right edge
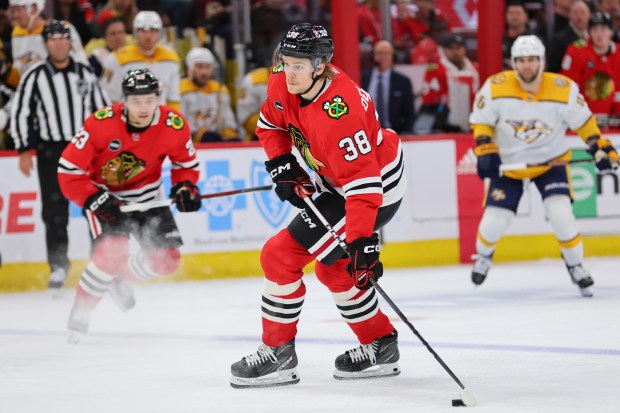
598 76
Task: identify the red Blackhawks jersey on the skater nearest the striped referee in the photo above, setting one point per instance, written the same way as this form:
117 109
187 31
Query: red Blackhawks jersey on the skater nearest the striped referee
104 154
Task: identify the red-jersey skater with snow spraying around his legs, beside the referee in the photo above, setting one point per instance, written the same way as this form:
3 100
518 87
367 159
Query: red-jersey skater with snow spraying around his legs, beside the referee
116 158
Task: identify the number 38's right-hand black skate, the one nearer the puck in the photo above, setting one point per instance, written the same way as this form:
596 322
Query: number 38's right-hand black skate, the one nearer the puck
377 359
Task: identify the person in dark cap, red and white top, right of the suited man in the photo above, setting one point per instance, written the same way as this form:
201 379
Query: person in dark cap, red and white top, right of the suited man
450 86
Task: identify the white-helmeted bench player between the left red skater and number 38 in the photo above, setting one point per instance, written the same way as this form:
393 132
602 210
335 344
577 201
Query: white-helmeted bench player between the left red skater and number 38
205 102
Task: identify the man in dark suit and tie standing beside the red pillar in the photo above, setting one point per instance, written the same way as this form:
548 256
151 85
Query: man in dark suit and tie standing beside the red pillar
391 91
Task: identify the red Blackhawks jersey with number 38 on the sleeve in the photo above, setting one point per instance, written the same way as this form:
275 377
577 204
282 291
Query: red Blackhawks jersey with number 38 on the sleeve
340 139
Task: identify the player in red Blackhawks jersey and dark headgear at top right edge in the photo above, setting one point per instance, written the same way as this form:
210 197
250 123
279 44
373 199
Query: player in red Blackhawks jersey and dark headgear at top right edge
594 65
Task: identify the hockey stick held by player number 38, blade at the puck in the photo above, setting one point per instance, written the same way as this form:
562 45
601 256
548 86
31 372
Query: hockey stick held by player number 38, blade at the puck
466 398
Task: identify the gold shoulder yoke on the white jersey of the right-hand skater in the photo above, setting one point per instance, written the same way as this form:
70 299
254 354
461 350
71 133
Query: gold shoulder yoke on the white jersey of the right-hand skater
554 88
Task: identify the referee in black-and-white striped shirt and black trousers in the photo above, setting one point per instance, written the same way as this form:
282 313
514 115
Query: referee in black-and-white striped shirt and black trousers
53 99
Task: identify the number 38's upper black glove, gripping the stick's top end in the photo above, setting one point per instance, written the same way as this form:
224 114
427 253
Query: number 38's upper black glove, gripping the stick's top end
290 179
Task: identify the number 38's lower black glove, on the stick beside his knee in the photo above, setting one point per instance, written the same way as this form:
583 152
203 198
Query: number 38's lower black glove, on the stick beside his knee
365 261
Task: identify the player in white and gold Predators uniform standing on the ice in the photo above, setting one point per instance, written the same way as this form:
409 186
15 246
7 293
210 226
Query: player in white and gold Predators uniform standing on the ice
521 116
